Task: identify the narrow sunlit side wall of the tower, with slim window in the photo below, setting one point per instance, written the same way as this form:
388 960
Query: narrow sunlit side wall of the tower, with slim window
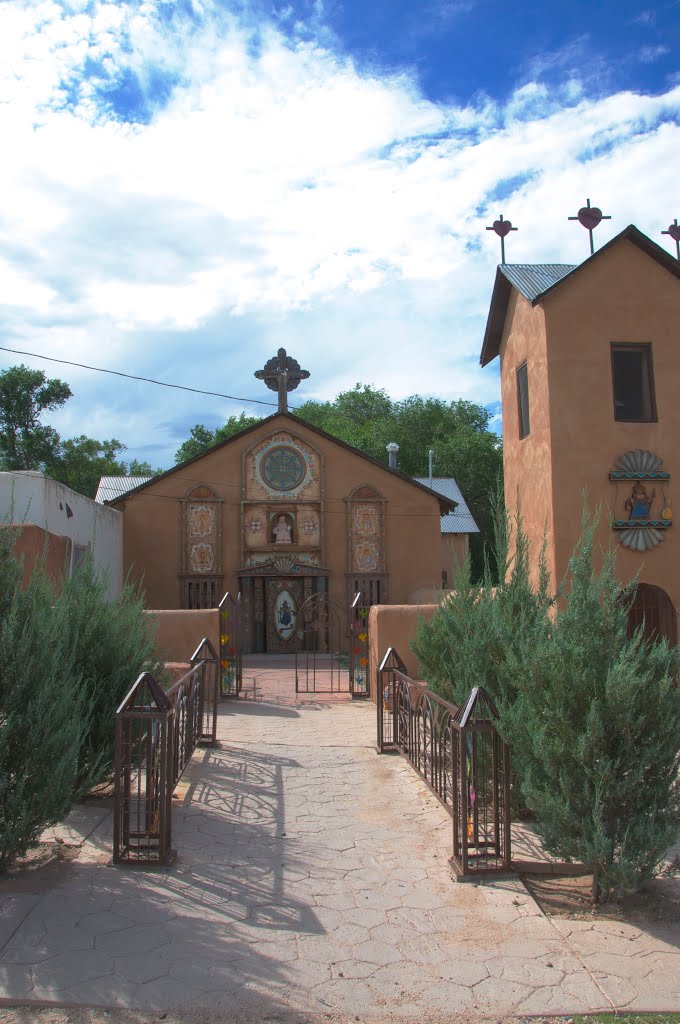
528 461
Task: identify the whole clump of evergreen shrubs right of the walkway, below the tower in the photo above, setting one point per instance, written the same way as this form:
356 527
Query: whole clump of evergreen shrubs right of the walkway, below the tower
593 716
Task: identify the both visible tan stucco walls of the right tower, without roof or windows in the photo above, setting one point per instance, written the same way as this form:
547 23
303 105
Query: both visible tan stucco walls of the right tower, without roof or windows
623 296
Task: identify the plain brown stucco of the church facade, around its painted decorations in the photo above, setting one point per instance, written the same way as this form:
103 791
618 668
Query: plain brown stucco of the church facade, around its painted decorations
153 520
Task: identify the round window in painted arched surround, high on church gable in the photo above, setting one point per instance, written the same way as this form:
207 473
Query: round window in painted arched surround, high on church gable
280 465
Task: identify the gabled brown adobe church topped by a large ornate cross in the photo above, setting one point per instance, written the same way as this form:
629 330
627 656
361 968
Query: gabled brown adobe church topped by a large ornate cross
281 513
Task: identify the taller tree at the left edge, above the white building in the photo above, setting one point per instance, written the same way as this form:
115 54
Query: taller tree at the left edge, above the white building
25 395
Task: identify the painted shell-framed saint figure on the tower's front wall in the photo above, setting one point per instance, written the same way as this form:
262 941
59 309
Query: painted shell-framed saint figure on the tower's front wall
644 500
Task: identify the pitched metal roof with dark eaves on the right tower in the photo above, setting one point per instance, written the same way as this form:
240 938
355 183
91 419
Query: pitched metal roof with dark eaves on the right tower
538 281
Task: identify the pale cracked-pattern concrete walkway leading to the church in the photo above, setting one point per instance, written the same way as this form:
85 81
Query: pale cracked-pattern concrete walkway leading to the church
312 876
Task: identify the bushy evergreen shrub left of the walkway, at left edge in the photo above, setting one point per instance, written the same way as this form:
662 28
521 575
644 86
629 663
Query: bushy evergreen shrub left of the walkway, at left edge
67 660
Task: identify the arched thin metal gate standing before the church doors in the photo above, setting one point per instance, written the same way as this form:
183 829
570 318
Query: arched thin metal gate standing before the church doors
322 664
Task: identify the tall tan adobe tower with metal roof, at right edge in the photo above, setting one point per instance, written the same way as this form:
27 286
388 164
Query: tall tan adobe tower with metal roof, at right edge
590 385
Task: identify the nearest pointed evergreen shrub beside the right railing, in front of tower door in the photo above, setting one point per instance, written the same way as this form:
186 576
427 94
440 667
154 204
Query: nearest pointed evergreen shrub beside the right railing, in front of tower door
599 732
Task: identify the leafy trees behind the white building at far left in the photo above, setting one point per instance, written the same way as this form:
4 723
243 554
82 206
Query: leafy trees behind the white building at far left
28 444
